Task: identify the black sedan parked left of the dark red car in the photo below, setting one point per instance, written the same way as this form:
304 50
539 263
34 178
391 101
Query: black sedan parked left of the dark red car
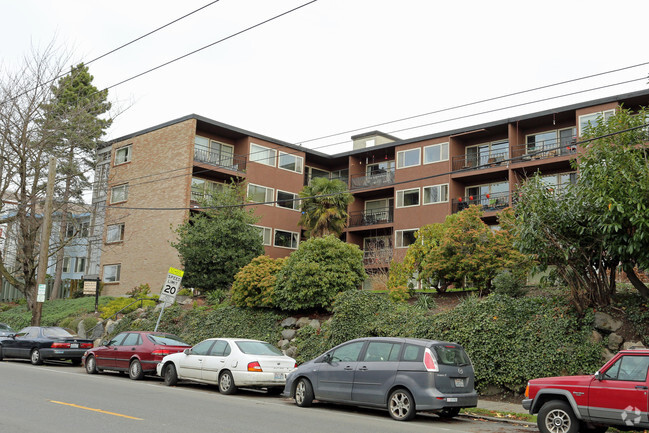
39 343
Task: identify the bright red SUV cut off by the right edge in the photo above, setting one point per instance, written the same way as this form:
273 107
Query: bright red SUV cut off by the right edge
616 395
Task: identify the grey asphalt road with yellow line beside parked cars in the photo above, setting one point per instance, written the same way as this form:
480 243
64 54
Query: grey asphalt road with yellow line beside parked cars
61 398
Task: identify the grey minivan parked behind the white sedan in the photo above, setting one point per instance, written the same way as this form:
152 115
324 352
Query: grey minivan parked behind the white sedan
403 375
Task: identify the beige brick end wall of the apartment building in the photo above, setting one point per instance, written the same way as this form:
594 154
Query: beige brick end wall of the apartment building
159 176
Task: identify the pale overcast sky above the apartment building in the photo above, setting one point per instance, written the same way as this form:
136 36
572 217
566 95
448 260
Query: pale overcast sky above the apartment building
336 68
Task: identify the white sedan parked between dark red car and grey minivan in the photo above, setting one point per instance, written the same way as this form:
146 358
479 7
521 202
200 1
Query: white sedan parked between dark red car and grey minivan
230 363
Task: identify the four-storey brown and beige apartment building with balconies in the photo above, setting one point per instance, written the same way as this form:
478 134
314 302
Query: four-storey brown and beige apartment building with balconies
155 176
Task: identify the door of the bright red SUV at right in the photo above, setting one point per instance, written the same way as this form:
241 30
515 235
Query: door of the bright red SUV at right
621 392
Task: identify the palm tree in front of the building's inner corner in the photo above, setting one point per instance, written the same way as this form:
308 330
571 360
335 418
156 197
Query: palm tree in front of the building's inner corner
324 207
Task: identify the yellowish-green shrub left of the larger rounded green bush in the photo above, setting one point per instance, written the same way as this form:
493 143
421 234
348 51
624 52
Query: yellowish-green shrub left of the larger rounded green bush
254 284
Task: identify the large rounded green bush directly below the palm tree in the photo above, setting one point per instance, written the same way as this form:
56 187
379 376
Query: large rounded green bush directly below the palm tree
319 269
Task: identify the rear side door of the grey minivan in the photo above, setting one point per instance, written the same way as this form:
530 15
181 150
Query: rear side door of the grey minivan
375 372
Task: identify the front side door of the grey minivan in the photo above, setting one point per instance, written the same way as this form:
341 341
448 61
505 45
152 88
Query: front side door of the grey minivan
336 376
